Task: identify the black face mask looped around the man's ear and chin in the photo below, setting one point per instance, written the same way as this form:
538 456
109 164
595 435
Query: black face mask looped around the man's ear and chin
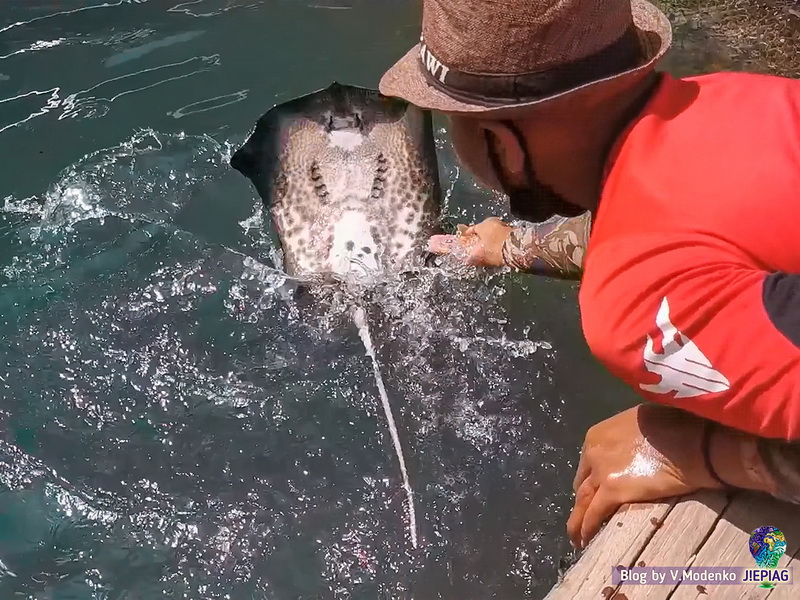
535 201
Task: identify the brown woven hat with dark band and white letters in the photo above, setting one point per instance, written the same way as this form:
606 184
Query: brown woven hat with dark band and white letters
494 58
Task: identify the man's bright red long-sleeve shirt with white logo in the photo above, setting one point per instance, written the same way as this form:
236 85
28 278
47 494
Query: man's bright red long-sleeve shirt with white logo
691 285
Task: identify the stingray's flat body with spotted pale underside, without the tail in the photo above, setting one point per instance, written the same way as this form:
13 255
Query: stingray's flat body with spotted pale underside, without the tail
351 180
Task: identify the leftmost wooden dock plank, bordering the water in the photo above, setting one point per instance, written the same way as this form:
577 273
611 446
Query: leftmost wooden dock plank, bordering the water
620 542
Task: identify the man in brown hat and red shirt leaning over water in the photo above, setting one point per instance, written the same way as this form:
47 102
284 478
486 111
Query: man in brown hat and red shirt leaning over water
686 295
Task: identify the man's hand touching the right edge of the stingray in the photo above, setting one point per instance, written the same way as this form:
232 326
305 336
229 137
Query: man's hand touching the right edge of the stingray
479 245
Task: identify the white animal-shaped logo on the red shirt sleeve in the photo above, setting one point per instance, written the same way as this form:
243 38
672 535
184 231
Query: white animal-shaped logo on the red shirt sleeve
683 367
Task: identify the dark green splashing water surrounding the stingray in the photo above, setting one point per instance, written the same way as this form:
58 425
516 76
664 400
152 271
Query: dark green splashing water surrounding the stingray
171 426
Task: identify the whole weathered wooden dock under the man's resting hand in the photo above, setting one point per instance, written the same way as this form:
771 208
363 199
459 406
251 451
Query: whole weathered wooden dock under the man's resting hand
707 529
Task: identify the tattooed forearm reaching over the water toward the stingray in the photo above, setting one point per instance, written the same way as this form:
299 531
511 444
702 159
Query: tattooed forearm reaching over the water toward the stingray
555 247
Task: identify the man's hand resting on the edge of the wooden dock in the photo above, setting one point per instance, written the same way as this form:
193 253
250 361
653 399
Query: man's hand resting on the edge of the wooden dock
646 453
